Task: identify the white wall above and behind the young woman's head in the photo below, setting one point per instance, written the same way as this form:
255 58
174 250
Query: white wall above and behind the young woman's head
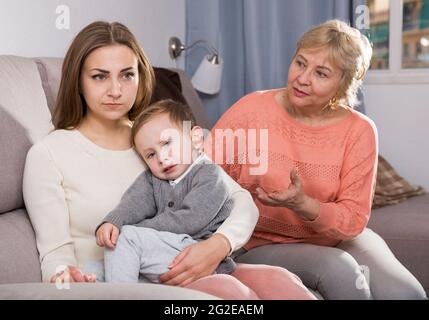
28 27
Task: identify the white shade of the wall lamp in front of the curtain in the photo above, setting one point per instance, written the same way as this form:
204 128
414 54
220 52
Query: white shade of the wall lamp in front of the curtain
207 78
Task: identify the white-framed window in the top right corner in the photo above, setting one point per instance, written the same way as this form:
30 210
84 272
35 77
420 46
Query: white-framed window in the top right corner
399 32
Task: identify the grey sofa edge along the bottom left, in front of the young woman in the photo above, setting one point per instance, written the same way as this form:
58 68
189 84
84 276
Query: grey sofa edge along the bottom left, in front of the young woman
103 291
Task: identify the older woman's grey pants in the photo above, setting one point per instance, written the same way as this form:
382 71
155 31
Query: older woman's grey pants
361 268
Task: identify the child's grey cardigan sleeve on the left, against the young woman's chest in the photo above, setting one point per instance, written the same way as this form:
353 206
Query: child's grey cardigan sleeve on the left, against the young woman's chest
137 203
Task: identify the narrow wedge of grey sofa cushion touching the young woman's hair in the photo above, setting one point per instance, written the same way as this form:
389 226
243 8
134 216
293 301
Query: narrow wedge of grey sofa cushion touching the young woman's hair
50 74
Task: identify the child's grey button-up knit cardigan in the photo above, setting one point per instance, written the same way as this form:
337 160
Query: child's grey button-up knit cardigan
196 206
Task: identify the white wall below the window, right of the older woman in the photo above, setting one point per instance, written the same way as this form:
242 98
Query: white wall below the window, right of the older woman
401 113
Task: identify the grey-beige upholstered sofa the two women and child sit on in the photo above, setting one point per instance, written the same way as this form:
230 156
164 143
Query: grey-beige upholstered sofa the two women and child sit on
27 93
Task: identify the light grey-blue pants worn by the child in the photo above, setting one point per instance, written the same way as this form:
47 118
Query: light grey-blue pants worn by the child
143 252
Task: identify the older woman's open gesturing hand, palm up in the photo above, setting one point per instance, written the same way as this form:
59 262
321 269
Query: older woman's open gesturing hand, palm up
292 198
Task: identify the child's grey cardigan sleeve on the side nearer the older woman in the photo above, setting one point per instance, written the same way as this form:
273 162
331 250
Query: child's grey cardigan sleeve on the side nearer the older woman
200 206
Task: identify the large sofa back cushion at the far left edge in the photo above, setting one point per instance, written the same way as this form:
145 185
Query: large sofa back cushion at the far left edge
24 118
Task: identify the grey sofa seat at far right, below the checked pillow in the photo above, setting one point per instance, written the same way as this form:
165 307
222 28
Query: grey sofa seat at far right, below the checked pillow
405 228
